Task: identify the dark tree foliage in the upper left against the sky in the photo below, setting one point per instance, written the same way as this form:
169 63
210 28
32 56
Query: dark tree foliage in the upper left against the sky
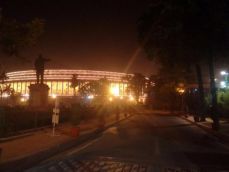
16 36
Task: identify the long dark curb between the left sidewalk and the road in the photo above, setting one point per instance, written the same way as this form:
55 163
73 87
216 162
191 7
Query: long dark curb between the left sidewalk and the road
33 159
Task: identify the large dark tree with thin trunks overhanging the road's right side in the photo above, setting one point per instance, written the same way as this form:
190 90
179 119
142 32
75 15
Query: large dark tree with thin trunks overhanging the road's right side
187 33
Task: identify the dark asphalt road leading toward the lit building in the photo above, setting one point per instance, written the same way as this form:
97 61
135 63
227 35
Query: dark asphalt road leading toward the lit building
145 142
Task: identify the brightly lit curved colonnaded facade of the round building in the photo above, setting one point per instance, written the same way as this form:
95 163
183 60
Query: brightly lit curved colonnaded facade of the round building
59 81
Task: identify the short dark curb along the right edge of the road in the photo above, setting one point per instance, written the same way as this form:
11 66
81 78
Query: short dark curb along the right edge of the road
223 138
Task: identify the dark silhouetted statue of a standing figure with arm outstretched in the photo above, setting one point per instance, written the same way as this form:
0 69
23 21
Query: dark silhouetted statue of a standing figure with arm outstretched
40 67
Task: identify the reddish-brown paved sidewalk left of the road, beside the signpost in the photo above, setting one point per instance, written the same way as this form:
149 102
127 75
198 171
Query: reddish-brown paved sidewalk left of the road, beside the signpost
41 141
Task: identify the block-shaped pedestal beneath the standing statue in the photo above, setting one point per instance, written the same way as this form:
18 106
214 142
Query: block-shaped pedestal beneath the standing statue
38 95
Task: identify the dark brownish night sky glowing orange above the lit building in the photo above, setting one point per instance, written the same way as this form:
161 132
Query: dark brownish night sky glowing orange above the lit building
84 34
